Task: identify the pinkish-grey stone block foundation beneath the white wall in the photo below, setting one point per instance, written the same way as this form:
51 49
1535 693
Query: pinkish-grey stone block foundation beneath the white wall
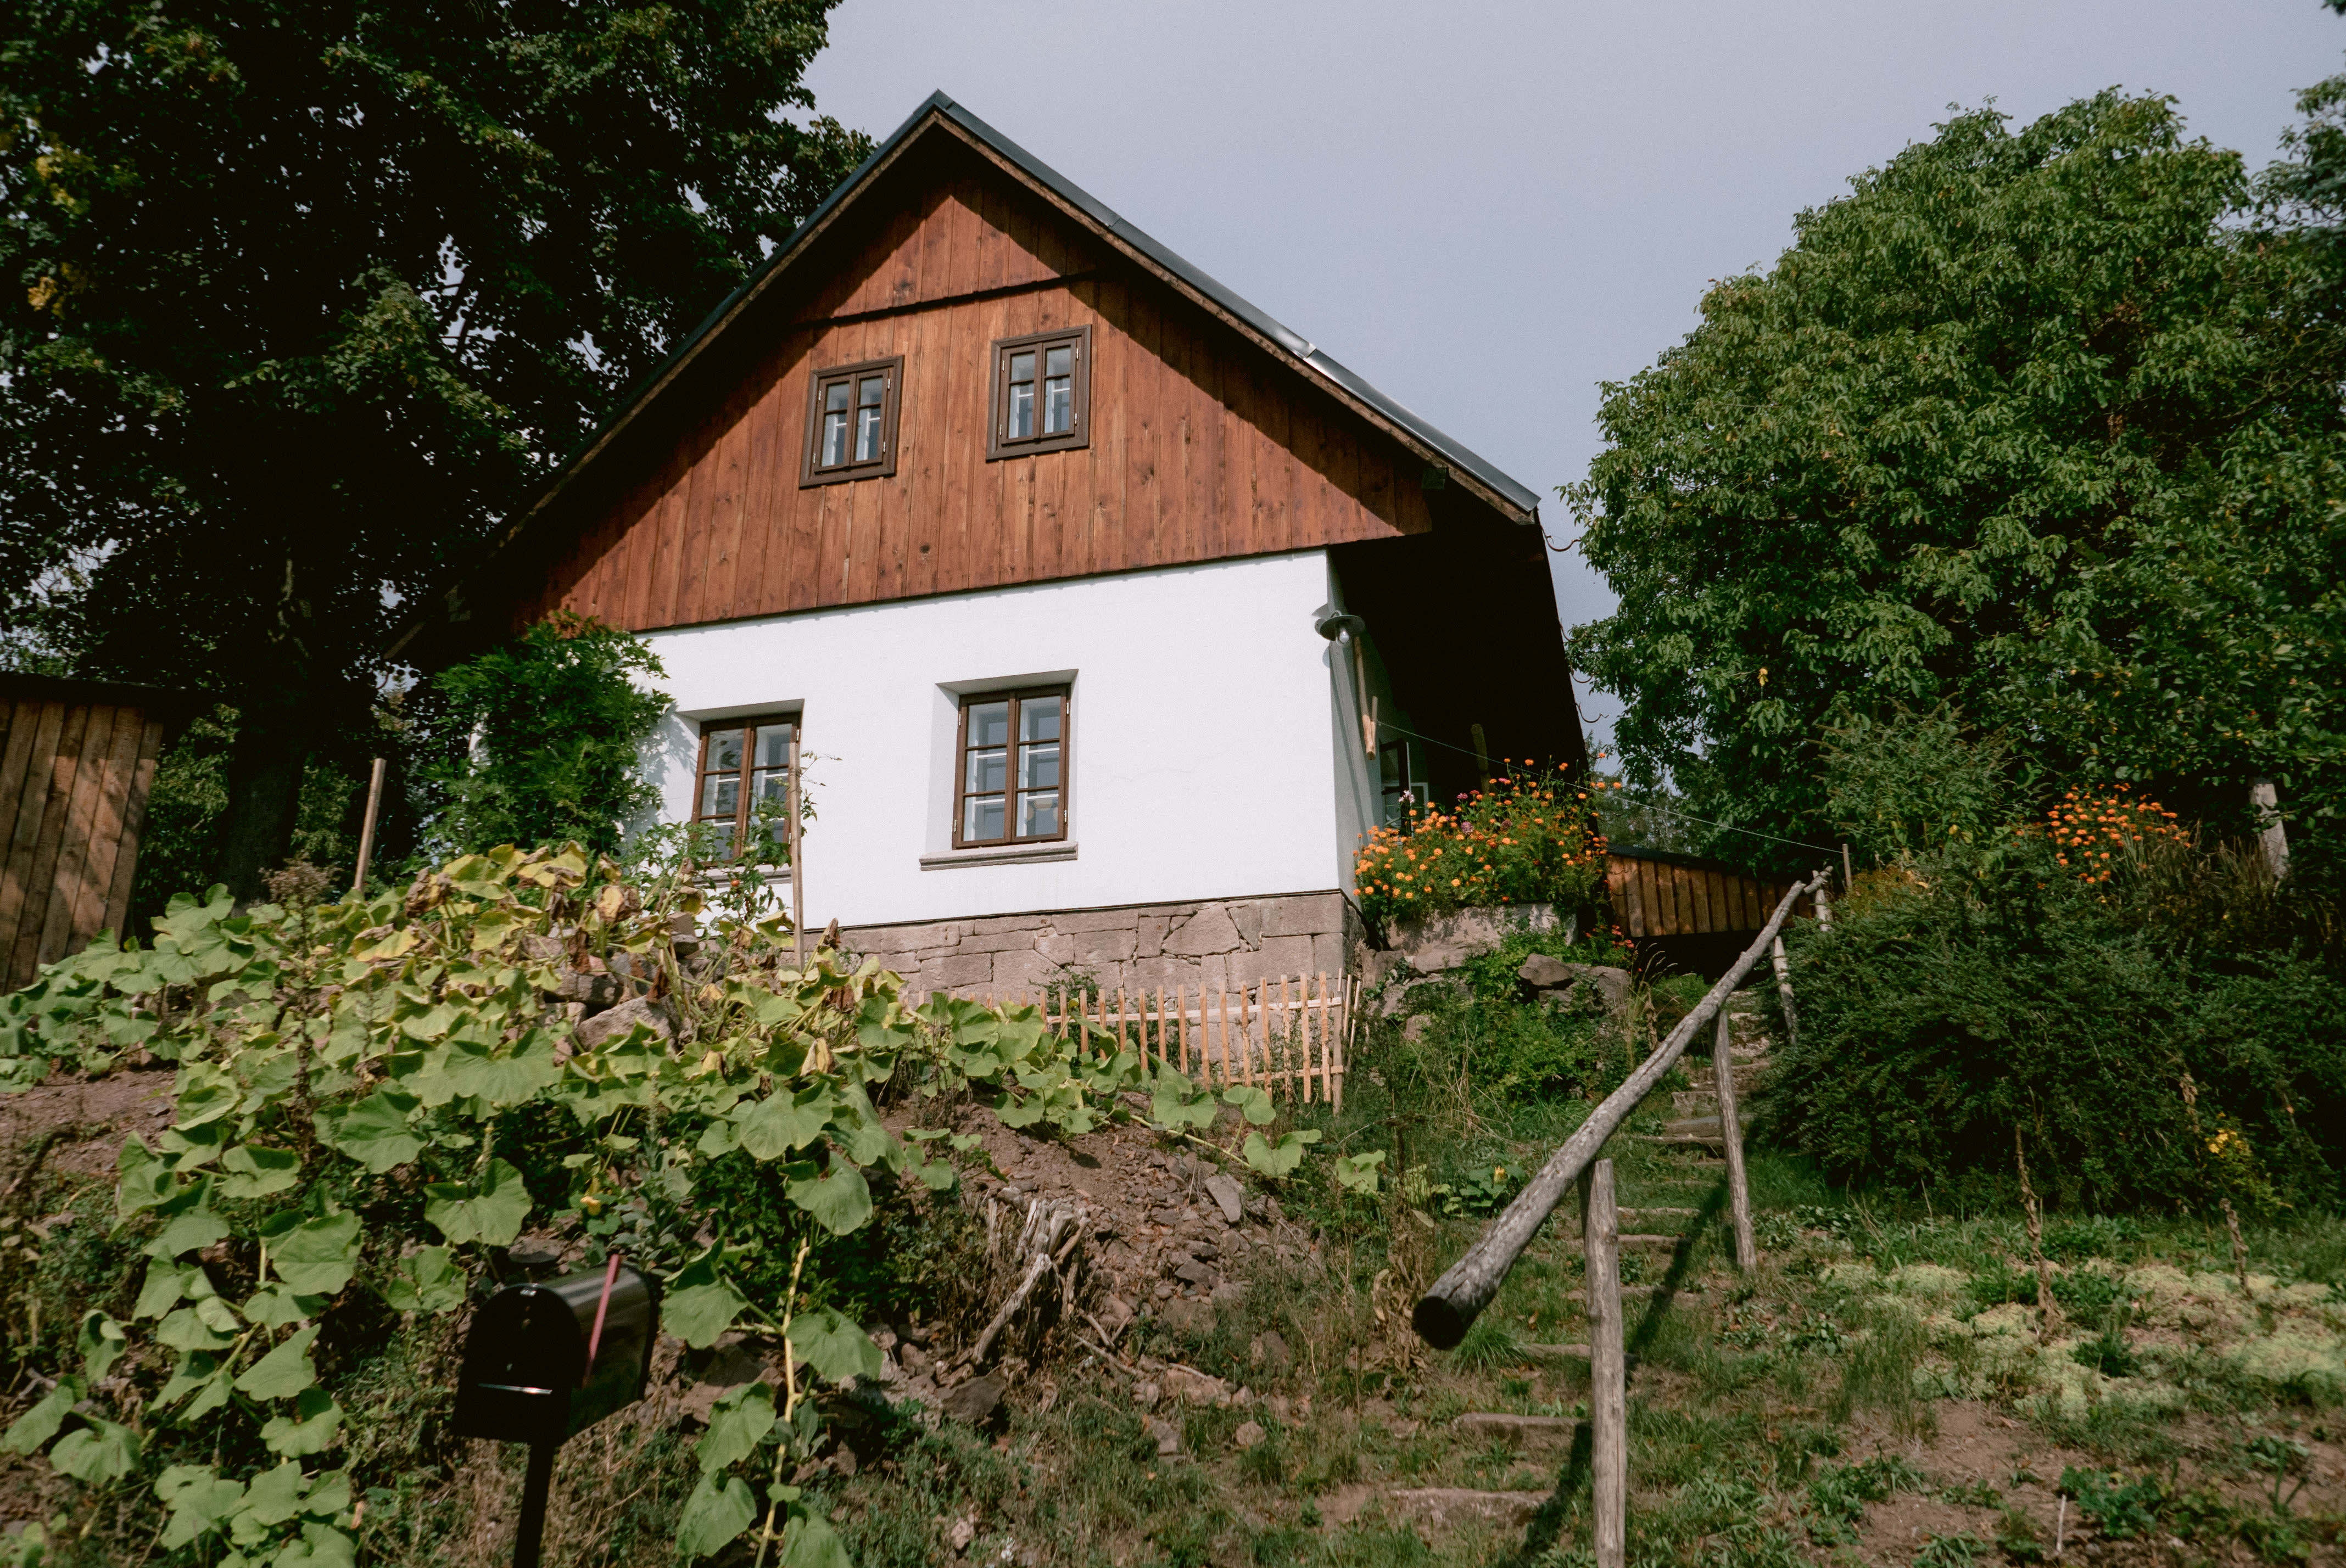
1228 941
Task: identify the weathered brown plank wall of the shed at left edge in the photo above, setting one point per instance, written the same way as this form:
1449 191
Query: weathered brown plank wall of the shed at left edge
74 789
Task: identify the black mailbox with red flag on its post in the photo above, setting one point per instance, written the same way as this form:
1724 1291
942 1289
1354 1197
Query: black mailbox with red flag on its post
545 1363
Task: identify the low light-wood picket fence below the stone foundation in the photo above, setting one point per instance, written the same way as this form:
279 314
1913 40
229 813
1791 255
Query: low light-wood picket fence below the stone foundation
1289 1035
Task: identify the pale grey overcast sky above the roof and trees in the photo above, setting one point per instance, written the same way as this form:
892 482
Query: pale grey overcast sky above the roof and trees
1489 210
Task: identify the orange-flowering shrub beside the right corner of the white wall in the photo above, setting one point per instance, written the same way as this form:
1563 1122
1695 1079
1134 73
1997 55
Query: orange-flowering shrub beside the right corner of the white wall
1524 840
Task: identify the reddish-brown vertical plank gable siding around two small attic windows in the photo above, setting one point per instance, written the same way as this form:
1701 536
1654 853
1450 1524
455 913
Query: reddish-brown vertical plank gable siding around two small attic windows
1200 449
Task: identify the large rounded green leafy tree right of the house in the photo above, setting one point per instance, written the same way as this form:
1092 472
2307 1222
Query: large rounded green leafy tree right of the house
2035 423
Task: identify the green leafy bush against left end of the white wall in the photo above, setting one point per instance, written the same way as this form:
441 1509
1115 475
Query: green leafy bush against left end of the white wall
545 739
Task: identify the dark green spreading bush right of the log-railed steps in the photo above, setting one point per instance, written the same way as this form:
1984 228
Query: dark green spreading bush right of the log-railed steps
1967 1007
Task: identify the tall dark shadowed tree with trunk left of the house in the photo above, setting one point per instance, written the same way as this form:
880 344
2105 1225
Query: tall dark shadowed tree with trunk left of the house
306 296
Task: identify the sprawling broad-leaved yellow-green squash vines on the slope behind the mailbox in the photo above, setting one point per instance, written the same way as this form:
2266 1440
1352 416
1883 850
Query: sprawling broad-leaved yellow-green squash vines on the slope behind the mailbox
377 1098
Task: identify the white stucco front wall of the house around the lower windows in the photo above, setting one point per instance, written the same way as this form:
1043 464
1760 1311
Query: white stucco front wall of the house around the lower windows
1202 739
